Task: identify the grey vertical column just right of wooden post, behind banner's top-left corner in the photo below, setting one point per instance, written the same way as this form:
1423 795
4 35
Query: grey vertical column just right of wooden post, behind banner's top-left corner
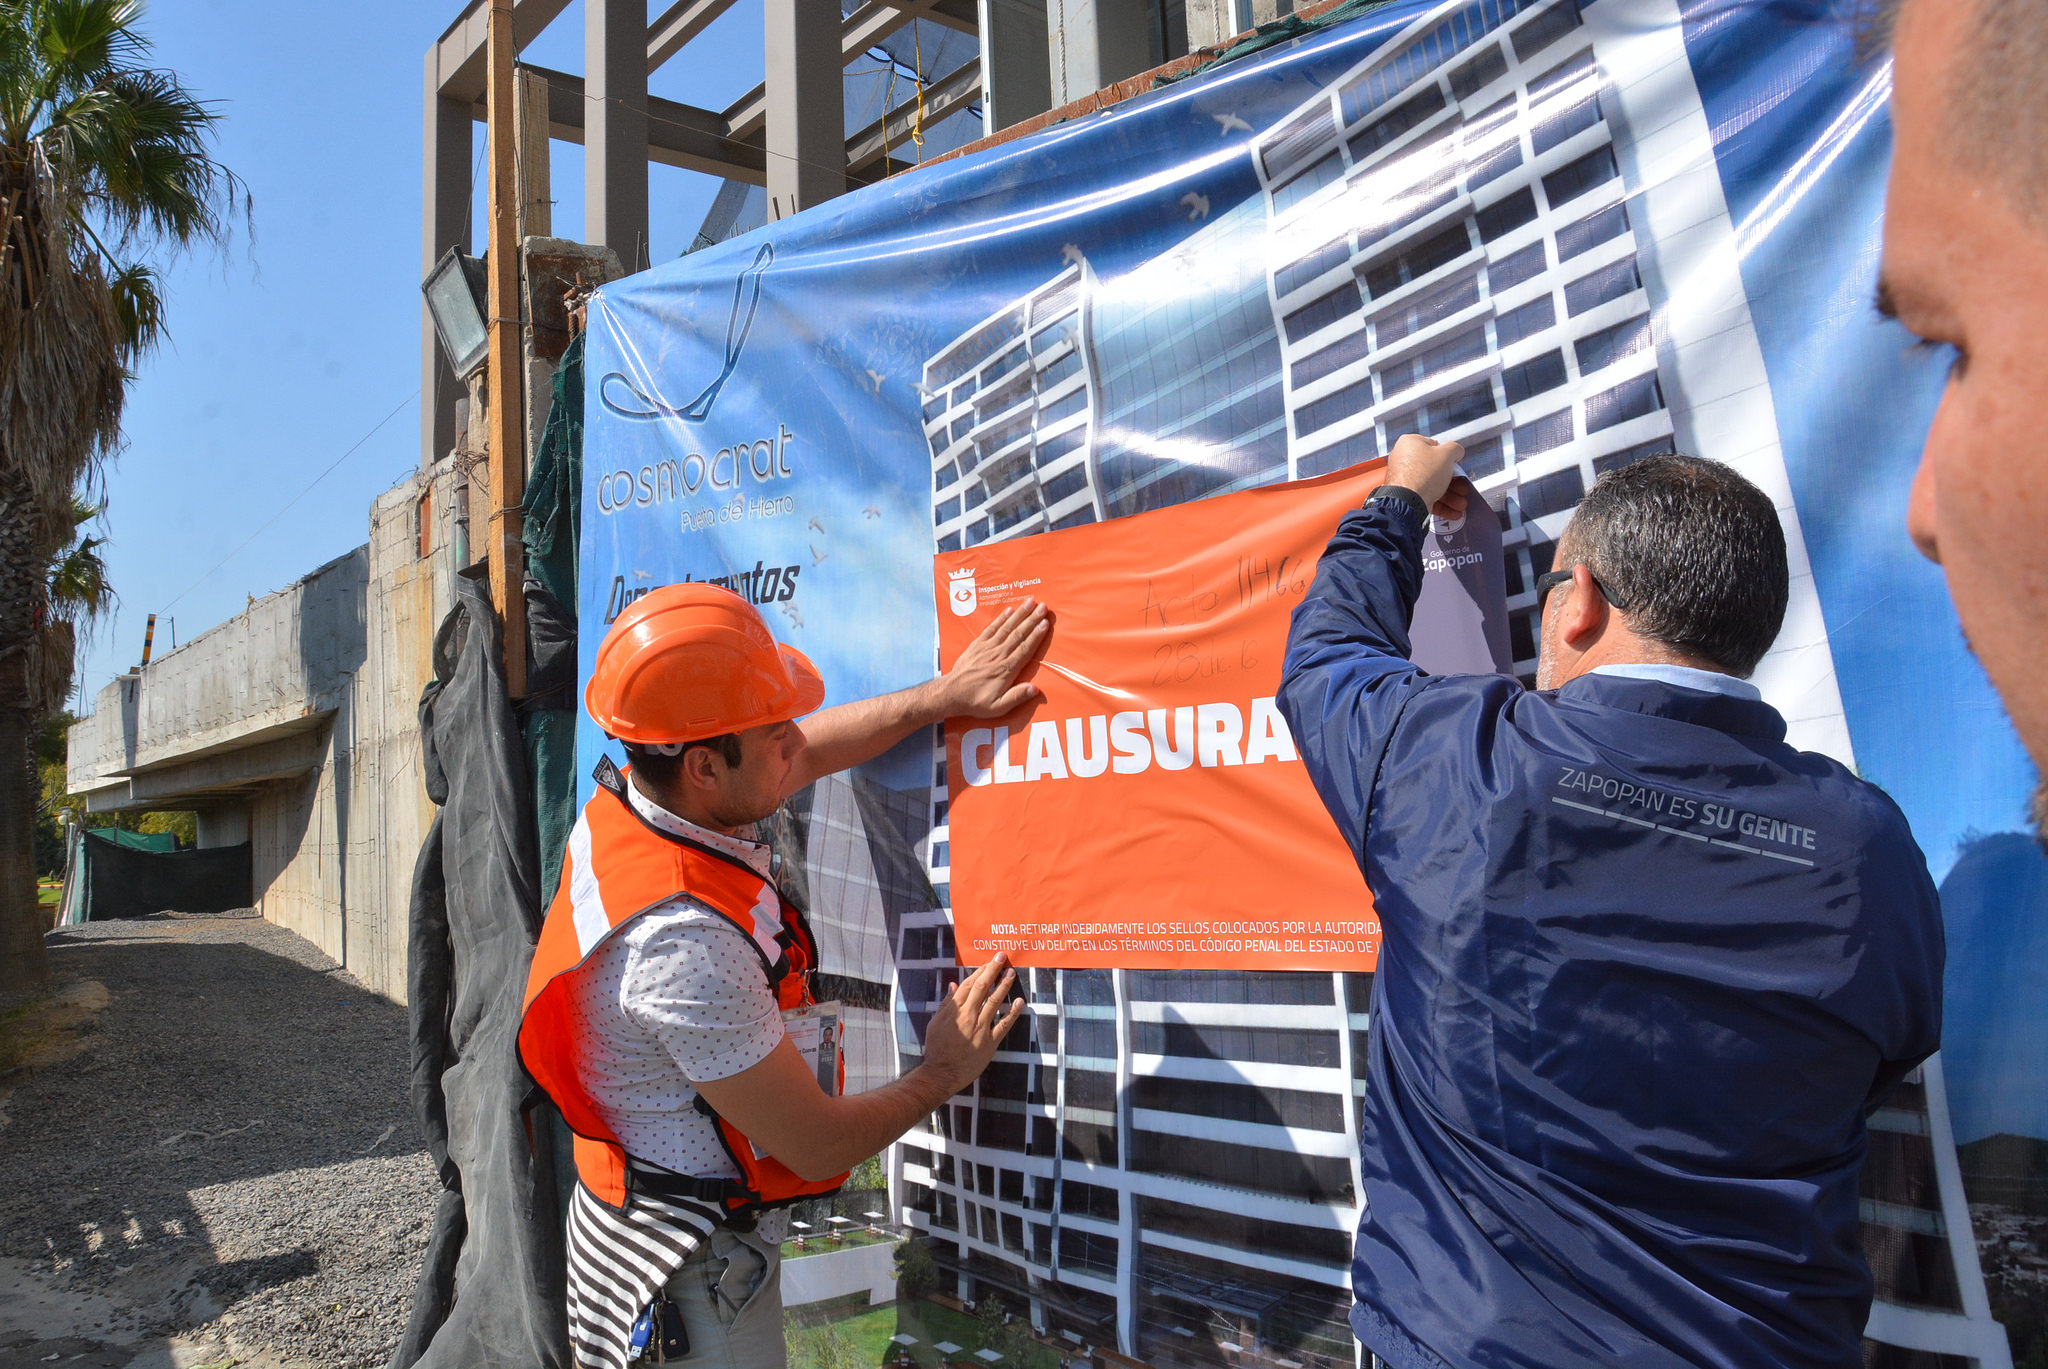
615 128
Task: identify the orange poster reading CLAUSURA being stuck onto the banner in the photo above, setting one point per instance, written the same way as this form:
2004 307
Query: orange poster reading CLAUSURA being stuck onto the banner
1152 811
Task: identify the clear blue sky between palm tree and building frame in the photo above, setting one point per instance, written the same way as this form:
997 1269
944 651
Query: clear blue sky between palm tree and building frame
298 341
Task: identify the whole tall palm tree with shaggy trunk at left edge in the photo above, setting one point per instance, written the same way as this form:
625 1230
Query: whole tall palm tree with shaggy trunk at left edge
105 171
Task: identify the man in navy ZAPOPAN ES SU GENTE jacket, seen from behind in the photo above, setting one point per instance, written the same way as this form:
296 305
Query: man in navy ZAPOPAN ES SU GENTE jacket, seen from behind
1646 968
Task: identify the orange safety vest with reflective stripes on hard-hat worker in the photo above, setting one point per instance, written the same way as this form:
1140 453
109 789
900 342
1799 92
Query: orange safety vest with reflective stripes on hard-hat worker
615 870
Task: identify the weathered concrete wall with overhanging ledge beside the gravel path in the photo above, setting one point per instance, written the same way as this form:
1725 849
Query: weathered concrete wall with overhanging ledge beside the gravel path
296 724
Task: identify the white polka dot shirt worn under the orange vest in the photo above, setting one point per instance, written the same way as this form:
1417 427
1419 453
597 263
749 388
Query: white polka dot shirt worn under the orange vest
675 997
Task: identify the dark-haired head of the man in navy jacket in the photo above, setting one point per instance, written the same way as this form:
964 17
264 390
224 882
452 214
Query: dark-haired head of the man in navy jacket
1672 561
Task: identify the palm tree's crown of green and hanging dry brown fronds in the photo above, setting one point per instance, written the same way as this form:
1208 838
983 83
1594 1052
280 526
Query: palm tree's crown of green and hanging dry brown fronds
105 163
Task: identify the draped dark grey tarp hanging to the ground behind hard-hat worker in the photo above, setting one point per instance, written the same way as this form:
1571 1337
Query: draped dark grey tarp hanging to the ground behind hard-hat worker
493 1286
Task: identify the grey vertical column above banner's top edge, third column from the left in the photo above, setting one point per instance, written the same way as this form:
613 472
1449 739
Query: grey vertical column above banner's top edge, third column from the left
806 89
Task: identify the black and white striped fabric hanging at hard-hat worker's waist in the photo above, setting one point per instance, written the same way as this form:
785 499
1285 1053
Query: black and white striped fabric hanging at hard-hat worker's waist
620 1261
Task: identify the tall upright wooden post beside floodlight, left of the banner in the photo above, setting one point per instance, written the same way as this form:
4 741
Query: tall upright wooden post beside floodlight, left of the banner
507 429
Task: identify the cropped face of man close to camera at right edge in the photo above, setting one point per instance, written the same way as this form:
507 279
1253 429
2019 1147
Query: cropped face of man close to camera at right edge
1967 269
